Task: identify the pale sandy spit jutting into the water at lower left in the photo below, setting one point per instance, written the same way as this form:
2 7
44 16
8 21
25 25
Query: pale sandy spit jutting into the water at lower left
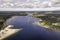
8 32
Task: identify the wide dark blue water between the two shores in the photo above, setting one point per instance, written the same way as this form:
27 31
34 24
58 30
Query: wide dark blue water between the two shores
30 30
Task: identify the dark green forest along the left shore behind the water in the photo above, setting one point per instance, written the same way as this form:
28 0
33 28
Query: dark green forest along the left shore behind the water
4 17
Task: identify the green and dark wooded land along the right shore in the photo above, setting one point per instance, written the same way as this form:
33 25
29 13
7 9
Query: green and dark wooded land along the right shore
48 20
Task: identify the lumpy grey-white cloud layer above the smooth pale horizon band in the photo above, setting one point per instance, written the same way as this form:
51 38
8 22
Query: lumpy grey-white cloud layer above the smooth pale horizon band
26 3
